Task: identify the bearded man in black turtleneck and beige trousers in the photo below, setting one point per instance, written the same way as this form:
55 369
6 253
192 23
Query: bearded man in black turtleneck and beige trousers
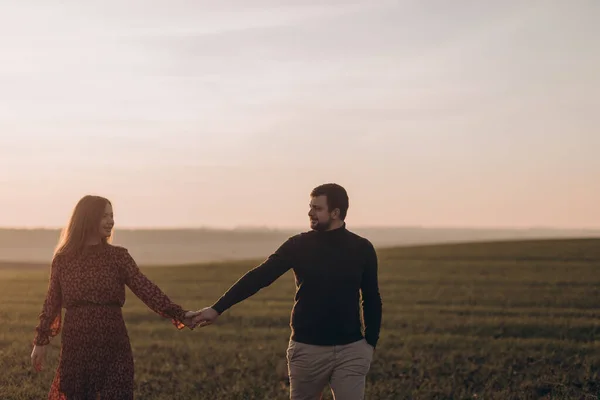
333 267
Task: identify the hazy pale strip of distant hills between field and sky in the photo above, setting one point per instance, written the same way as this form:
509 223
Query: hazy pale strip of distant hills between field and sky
182 246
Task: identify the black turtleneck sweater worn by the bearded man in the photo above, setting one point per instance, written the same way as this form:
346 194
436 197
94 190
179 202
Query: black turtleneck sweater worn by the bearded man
332 269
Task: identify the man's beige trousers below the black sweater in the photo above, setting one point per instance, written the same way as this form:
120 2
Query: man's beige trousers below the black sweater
344 368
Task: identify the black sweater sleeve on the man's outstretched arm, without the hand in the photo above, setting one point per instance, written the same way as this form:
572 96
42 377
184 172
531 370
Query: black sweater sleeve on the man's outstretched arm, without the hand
262 276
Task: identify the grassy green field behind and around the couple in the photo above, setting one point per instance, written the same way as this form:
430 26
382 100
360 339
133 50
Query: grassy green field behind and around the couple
506 320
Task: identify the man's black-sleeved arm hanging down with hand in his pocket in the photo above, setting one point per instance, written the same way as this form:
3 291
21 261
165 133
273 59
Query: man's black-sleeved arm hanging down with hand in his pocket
371 299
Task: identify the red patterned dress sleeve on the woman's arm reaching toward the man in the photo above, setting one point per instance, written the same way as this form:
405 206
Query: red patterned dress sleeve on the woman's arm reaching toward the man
149 292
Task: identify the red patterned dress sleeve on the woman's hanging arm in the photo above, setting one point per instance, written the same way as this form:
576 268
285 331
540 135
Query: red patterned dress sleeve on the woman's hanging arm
50 318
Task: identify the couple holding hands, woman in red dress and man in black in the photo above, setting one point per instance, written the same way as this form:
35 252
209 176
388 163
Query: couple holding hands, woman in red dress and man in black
337 292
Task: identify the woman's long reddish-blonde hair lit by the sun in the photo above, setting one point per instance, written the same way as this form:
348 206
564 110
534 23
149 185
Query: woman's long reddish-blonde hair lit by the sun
83 225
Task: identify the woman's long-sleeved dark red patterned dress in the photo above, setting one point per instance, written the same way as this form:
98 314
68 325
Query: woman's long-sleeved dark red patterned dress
96 360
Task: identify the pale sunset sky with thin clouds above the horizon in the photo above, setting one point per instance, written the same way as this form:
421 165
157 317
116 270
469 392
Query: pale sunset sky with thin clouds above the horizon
223 114
